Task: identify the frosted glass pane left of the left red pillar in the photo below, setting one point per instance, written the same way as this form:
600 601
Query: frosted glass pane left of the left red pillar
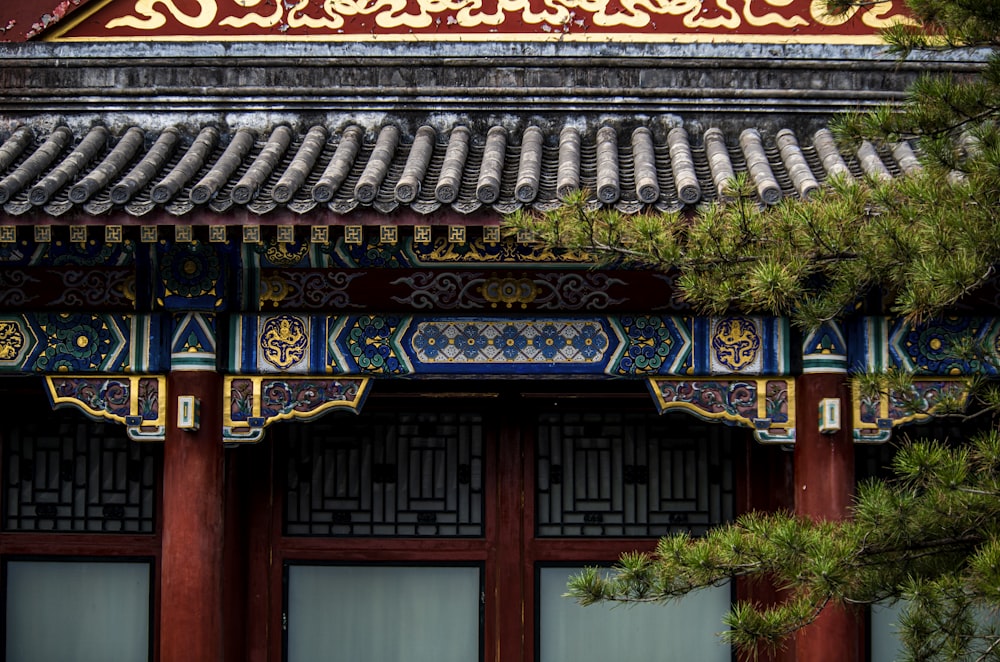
80 611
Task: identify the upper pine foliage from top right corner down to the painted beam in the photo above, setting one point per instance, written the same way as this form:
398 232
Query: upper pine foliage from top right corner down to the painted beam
919 243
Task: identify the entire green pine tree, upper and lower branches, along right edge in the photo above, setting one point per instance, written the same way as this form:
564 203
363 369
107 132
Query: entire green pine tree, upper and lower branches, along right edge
931 534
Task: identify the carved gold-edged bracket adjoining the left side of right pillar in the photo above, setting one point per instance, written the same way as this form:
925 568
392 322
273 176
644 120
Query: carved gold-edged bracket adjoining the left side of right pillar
766 406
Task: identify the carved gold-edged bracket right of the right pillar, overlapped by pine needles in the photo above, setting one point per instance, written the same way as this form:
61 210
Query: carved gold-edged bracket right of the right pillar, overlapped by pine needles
875 416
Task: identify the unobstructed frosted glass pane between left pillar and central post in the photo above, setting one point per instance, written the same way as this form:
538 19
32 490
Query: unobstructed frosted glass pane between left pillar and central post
383 614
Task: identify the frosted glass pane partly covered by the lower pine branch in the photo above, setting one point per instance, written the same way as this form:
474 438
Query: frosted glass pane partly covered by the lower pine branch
676 632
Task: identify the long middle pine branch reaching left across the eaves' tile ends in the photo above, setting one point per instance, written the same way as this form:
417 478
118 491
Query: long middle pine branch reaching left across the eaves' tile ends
921 241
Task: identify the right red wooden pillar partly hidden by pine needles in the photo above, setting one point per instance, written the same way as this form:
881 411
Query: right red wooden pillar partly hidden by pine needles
824 483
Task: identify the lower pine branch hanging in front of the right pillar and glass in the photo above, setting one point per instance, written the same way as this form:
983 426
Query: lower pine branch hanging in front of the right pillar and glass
930 536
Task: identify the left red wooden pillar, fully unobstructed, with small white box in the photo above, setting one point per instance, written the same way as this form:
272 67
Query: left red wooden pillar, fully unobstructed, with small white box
191 572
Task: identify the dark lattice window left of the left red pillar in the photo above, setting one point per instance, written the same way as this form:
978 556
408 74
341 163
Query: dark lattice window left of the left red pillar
78 477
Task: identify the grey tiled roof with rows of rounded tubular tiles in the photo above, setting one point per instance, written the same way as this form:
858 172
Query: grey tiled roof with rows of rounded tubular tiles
386 169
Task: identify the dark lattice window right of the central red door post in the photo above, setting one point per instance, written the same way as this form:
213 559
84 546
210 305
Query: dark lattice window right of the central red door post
630 475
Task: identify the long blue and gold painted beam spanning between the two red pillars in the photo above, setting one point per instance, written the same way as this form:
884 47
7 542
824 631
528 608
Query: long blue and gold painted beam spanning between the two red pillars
391 345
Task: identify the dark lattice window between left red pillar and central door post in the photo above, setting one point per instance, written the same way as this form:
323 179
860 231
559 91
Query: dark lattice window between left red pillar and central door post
405 474
